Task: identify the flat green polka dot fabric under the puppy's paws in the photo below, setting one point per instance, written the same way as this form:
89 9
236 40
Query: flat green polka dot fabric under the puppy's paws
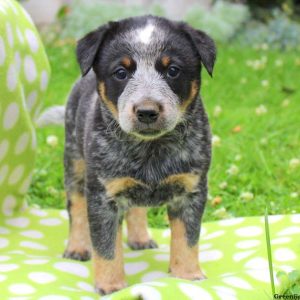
232 254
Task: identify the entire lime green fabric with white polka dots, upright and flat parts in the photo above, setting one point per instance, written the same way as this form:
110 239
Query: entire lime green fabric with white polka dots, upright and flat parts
233 252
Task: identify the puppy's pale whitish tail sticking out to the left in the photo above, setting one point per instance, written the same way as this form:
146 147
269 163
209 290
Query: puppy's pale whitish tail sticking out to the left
54 115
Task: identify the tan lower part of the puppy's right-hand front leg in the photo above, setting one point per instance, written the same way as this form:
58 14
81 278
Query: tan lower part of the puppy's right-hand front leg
183 259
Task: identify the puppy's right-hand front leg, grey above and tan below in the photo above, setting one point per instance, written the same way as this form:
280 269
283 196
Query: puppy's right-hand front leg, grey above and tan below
185 228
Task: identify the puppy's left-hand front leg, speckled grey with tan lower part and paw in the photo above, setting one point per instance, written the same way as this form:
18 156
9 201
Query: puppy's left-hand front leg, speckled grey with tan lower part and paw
106 236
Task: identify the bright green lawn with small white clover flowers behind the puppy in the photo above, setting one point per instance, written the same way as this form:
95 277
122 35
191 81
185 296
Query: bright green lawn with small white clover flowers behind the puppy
254 106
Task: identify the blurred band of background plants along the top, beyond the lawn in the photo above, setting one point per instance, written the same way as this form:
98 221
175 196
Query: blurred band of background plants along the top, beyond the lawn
252 23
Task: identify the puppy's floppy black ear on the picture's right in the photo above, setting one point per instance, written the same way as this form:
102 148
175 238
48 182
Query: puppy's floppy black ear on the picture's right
205 46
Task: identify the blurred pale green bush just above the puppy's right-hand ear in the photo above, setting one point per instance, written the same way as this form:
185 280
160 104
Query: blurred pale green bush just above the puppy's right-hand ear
221 22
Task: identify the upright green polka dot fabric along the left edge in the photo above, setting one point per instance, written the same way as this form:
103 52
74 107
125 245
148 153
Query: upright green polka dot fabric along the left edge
24 73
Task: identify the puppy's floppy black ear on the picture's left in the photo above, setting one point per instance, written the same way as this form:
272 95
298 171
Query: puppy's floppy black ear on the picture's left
88 46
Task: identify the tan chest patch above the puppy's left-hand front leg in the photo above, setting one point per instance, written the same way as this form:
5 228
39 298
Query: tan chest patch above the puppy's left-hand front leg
118 185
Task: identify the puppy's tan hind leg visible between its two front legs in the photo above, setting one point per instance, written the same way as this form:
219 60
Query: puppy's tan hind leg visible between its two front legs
138 236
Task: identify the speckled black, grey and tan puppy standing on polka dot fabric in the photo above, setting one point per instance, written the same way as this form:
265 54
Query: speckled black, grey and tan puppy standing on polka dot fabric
137 136
